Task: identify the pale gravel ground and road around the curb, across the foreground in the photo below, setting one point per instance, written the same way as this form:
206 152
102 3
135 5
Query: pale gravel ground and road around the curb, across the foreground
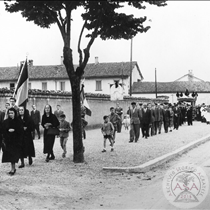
61 184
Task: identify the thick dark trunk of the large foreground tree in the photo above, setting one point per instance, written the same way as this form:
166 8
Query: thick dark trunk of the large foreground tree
78 149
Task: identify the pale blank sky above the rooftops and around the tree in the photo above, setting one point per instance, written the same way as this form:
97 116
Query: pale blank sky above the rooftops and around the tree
178 41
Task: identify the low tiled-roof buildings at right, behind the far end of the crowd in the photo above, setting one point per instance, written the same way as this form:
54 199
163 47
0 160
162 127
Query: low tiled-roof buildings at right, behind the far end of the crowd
169 89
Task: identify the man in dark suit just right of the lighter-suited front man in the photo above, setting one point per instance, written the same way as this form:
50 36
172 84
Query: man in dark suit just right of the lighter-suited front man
146 120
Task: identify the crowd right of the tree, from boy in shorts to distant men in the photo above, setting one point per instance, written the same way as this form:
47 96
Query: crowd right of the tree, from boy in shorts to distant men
148 119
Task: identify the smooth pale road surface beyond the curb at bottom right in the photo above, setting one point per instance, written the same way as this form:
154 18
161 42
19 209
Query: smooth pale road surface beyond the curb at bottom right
149 194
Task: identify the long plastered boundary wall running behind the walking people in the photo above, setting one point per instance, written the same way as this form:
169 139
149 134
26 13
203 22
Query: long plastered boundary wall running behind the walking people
99 104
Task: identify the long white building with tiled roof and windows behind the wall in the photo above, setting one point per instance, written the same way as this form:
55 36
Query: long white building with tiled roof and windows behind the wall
99 77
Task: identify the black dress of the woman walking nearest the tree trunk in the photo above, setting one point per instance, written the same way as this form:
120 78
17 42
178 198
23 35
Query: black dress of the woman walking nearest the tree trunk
49 140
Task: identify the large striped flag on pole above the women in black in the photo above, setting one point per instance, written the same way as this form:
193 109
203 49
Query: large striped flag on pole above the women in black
21 89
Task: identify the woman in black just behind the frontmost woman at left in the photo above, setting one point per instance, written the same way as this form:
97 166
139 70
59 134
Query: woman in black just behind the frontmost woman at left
28 144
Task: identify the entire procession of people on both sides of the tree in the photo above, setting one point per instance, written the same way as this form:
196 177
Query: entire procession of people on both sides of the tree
142 120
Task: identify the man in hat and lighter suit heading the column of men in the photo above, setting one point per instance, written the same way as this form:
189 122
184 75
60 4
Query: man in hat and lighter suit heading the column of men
135 115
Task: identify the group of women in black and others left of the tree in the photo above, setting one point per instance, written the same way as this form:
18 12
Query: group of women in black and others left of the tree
17 132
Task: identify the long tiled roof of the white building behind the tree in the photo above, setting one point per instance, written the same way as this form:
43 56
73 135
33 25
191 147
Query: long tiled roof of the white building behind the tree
58 71
